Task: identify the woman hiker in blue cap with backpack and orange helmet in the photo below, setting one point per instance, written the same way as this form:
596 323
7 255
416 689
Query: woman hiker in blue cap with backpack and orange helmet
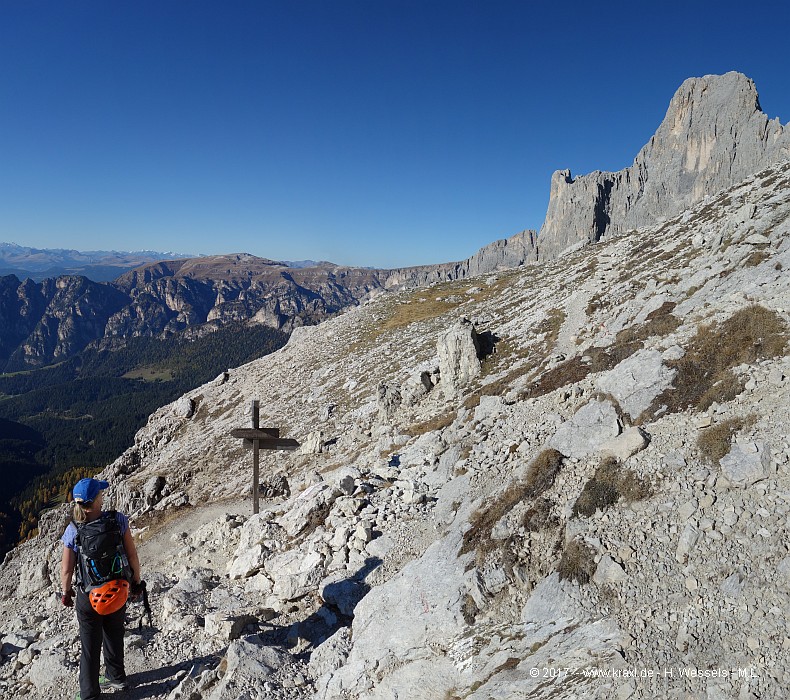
98 545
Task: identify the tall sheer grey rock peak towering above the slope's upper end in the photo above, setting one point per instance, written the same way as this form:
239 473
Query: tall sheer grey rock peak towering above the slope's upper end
713 135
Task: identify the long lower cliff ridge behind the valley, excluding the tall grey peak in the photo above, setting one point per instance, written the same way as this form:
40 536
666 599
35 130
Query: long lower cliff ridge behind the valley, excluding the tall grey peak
52 320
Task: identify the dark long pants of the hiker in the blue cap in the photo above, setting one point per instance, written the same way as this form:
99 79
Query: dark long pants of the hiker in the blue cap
97 631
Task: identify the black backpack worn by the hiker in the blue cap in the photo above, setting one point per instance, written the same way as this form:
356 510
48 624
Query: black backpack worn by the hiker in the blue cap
101 556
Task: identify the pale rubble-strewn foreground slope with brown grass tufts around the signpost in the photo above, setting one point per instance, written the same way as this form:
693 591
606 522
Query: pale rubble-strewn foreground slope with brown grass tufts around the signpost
566 480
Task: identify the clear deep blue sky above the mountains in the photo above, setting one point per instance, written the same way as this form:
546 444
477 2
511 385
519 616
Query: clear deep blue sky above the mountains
371 132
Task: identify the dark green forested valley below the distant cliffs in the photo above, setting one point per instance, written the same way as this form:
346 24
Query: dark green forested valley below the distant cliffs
83 413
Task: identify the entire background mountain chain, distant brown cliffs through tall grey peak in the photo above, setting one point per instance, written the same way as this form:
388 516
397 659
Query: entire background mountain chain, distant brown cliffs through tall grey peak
713 135
